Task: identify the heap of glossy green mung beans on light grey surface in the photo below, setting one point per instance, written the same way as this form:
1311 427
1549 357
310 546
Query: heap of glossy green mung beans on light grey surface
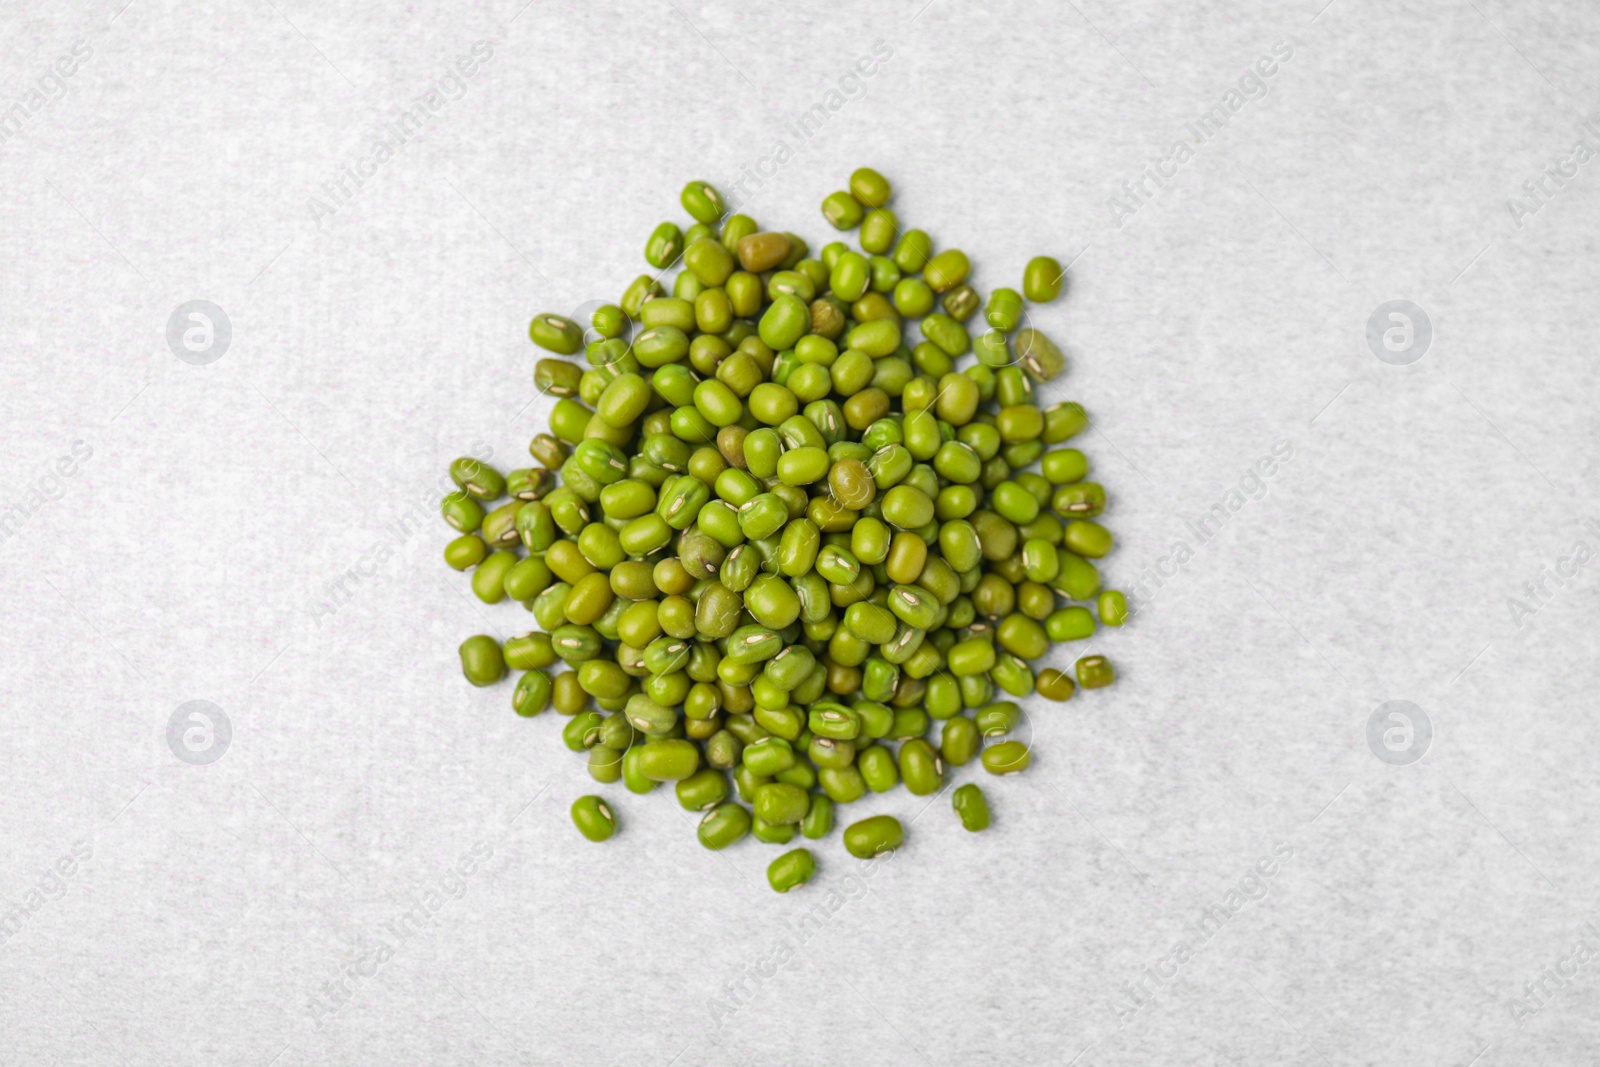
769 533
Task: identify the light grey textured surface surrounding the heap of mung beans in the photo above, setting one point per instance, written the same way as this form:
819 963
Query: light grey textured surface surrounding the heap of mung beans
217 914
